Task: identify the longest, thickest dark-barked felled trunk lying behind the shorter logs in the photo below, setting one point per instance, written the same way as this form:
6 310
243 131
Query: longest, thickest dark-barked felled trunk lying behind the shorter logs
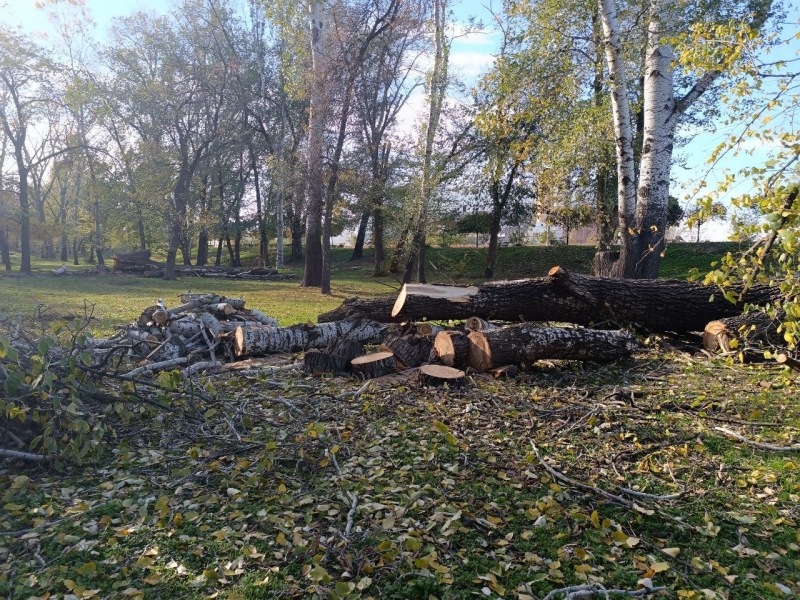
658 305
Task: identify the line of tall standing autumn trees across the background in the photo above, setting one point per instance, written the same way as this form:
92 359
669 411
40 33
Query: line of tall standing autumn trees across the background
224 119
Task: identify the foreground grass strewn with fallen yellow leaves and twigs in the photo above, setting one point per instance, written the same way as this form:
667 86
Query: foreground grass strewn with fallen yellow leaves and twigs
282 486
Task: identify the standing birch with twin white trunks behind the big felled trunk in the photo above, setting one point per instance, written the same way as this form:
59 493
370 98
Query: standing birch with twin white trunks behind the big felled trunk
643 197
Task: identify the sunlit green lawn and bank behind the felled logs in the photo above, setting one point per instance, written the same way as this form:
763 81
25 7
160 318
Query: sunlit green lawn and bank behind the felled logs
118 299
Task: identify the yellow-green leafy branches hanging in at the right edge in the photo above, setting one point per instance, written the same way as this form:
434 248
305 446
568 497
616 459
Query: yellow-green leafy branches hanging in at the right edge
763 106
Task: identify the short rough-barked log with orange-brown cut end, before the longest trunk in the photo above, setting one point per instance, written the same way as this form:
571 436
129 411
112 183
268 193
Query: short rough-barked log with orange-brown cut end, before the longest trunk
524 342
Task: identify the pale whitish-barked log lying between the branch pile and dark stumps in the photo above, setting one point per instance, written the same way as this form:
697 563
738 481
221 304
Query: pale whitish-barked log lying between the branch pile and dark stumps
250 341
